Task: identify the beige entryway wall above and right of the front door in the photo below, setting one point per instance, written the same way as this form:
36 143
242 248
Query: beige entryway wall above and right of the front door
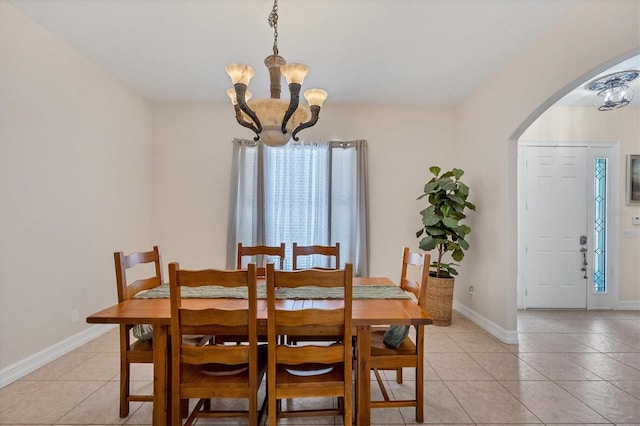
586 124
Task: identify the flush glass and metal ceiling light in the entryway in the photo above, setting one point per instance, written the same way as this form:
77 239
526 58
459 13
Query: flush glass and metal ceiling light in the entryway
613 92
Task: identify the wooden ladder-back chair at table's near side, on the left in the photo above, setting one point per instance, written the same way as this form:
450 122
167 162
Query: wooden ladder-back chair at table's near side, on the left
215 371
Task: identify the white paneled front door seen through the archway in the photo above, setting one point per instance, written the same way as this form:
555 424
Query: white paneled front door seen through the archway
555 221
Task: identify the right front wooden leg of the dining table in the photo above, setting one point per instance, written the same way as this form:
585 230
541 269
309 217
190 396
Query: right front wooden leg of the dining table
363 389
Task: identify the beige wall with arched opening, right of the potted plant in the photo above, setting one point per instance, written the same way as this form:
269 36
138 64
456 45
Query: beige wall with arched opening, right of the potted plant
490 121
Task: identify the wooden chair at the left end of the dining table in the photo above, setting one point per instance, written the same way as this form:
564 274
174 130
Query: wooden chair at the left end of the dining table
141 350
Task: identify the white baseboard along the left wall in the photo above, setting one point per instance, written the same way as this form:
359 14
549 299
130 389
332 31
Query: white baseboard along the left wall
28 365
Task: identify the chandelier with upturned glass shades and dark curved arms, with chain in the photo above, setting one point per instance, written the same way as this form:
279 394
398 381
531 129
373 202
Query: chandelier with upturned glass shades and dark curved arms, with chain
274 120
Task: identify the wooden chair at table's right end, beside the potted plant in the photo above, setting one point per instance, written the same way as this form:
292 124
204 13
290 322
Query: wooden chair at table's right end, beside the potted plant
410 353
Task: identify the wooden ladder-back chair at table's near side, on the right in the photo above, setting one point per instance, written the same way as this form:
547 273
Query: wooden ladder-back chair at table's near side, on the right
309 371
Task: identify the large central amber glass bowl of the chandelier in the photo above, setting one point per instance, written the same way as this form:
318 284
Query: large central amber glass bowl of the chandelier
270 113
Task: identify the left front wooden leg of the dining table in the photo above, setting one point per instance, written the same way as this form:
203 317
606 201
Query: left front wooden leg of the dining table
160 395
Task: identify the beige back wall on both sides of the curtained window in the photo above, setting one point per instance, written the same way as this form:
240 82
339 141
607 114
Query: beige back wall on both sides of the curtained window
192 166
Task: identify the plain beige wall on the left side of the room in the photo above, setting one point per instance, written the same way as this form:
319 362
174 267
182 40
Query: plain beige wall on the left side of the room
75 185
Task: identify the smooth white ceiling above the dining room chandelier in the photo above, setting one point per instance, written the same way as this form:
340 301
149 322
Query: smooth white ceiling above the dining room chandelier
431 52
